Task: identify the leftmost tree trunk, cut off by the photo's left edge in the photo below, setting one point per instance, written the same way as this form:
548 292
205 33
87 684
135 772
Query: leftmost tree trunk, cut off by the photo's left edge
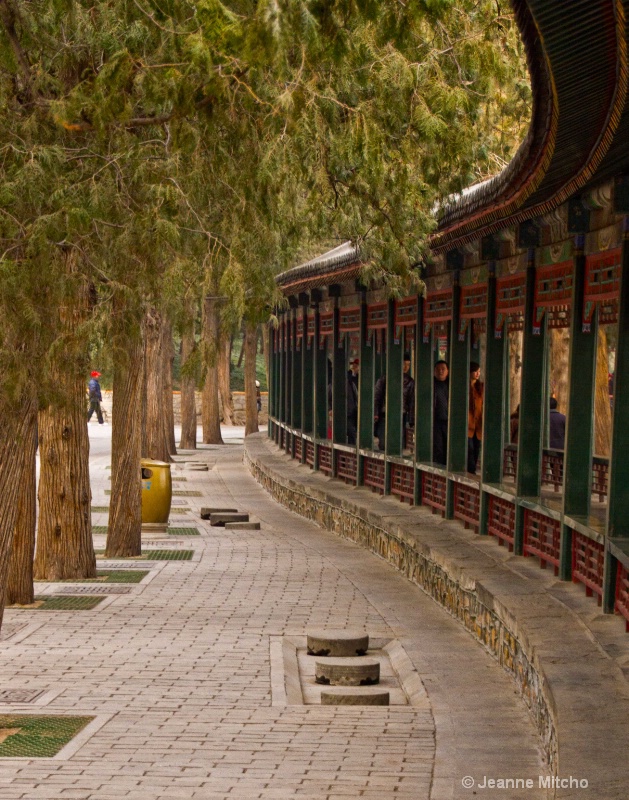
15 434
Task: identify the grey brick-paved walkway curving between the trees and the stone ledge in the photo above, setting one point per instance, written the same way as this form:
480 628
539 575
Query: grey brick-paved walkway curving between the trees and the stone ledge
178 671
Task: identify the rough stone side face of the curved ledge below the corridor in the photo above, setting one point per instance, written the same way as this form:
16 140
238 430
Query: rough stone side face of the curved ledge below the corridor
467 603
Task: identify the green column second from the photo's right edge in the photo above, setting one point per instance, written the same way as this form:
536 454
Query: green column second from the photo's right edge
577 465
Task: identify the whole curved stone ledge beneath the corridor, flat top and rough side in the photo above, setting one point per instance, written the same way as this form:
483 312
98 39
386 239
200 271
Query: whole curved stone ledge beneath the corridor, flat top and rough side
577 695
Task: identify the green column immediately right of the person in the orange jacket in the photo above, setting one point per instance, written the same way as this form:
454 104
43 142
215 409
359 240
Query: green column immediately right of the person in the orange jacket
493 401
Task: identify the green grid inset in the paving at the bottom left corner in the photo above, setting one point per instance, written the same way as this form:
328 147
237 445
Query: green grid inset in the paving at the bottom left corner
37 736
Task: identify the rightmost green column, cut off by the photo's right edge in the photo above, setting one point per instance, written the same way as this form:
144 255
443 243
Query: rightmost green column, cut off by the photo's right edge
618 497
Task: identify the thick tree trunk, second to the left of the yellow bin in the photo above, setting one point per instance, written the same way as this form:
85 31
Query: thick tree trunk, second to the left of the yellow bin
64 536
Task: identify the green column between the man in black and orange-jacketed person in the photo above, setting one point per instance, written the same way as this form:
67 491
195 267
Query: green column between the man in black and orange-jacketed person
459 389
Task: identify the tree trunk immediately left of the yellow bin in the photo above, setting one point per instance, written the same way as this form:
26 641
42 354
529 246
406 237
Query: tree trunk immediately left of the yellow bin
124 532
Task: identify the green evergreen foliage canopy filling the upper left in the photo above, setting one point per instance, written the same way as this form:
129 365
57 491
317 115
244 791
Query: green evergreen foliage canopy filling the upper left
183 147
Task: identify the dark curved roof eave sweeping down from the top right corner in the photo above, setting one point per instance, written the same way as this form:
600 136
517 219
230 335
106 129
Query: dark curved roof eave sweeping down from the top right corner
575 117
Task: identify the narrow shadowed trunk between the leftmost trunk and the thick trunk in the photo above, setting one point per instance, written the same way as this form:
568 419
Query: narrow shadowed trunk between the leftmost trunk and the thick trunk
20 579
